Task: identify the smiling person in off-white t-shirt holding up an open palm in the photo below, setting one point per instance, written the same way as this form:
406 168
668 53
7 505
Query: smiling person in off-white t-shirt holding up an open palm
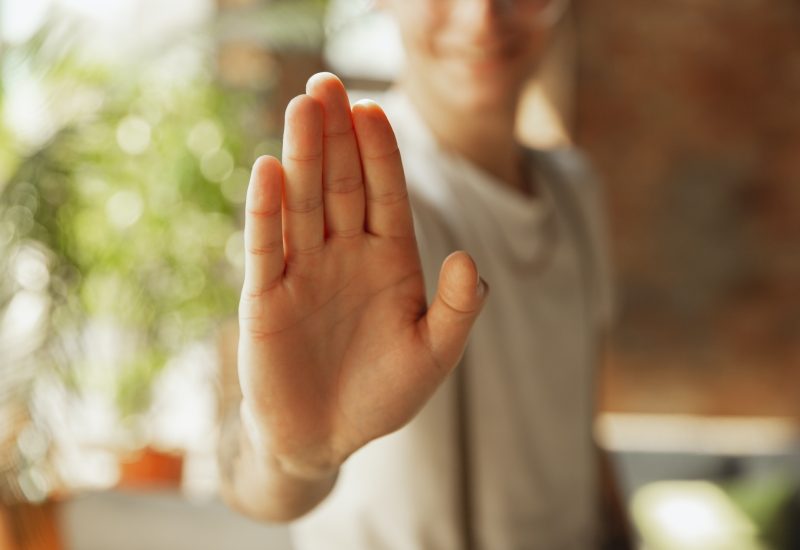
356 423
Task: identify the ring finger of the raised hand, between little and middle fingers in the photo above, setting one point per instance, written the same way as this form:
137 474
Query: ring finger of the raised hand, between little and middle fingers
303 218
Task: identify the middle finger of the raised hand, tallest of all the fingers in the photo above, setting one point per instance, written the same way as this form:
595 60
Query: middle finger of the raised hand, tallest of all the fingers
343 188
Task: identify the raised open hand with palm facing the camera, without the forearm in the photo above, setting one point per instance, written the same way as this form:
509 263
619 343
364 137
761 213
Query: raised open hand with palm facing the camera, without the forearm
337 346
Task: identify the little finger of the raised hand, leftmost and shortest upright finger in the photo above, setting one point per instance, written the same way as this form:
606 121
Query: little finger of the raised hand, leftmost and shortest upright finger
263 240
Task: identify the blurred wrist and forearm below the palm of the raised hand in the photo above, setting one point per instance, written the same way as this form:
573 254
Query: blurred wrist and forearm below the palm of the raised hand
253 482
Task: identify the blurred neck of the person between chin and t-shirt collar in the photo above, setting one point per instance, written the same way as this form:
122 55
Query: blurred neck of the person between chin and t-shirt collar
486 138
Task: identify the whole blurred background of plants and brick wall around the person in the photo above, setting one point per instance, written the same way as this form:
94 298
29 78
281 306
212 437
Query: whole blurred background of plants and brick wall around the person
127 129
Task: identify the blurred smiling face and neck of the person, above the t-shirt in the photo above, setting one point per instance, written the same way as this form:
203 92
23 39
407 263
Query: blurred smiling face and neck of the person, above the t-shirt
486 50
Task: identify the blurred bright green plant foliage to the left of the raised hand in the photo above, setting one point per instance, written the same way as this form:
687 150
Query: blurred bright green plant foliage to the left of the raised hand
119 225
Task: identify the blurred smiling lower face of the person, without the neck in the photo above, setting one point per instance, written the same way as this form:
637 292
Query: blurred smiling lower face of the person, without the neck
474 54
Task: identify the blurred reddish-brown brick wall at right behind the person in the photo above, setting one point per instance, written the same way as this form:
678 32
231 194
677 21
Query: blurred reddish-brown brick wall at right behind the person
691 113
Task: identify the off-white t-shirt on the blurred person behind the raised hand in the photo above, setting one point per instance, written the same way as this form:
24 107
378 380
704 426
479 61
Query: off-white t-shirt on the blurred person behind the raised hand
502 454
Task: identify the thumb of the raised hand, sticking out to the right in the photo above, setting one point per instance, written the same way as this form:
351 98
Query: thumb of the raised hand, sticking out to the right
459 298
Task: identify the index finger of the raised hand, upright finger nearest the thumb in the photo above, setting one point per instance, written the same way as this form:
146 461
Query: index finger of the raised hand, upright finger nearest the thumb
388 211
